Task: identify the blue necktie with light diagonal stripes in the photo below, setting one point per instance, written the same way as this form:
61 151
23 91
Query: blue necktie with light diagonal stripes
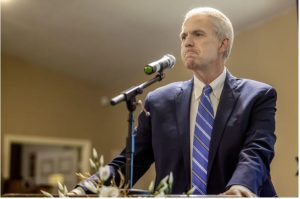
203 128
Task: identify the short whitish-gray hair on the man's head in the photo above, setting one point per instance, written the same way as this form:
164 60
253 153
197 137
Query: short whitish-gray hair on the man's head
222 24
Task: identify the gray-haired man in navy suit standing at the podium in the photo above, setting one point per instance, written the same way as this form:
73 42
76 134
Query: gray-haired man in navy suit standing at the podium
214 132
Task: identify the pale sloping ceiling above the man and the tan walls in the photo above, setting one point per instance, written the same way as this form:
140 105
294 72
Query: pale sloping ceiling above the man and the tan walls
110 40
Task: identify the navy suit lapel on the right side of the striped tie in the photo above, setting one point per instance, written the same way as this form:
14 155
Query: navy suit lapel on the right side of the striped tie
227 102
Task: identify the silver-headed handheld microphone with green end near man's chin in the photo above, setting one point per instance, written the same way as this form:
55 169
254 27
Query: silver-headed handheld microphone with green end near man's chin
167 61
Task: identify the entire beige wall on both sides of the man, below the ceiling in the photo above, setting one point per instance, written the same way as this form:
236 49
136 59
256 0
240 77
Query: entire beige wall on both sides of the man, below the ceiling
37 101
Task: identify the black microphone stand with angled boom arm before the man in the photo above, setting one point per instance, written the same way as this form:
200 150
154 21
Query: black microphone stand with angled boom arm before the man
130 97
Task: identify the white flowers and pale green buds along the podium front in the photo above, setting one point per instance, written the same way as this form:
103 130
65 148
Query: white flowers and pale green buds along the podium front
98 187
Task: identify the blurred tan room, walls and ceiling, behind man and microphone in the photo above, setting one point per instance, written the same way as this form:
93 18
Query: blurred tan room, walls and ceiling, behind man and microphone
62 61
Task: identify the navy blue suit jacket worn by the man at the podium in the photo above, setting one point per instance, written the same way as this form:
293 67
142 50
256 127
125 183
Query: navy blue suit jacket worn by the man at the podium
242 143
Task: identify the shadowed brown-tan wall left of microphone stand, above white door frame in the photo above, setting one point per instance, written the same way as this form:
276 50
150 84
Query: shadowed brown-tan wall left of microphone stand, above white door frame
36 101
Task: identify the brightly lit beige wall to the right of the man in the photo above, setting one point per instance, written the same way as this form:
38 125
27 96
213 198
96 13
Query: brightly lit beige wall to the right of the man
268 53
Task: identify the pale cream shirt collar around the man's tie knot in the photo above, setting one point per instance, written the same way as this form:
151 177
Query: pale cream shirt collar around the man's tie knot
216 85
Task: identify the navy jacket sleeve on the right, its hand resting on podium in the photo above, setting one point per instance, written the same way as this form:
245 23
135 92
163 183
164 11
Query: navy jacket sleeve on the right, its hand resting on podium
258 150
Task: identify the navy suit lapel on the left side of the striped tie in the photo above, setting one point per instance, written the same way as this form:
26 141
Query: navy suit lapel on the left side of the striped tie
182 108
